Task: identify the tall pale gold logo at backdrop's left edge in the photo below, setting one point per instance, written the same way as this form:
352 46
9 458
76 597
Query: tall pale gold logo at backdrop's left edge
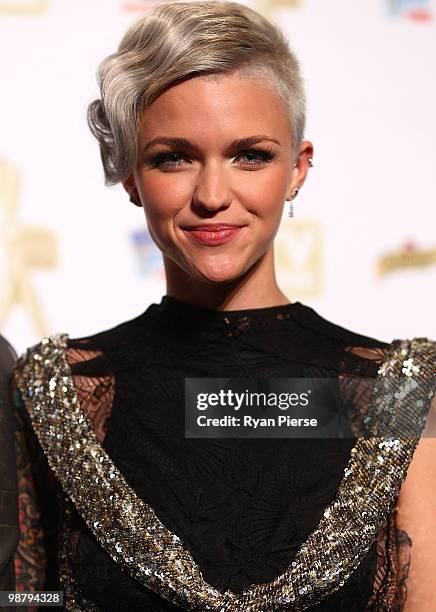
23 248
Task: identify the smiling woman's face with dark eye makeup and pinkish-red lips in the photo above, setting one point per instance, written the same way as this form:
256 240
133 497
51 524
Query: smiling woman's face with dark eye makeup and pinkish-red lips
210 176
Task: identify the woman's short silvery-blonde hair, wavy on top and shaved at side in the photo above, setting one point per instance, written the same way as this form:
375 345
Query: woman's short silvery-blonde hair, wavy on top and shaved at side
180 39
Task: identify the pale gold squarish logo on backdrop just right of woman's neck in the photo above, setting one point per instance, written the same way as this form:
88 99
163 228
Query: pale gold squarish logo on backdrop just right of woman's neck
299 256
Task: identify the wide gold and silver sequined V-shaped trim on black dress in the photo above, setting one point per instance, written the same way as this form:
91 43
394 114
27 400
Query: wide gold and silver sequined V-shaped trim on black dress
134 536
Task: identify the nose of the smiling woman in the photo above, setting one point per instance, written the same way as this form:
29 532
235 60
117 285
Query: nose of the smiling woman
212 191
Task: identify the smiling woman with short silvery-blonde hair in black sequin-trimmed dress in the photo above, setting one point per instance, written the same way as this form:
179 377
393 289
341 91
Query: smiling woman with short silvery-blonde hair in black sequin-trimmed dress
201 118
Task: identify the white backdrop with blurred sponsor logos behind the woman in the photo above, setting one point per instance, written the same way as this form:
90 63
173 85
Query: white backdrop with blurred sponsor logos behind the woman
76 256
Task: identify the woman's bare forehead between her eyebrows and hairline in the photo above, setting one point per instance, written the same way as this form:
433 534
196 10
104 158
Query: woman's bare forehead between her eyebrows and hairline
217 104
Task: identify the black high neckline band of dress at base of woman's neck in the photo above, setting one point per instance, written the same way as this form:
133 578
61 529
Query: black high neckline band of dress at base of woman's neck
173 305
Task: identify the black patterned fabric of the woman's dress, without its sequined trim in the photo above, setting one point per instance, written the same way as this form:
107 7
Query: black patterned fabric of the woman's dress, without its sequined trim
243 507
